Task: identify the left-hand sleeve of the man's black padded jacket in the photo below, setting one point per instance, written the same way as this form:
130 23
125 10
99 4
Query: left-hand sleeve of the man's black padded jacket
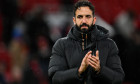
58 70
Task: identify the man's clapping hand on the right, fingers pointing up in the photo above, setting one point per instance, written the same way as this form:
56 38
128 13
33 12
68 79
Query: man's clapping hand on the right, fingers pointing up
94 61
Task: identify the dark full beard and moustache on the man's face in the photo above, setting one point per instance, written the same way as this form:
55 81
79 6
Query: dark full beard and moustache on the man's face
84 30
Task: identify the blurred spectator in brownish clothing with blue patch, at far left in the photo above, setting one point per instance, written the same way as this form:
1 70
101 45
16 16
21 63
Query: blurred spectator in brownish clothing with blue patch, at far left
18 51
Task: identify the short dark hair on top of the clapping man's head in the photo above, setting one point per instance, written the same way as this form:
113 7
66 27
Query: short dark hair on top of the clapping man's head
83 3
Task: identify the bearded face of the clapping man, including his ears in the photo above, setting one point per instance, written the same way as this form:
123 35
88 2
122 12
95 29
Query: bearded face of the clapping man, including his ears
84 18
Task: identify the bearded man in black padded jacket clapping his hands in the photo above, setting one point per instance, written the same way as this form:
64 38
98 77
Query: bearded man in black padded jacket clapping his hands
86 55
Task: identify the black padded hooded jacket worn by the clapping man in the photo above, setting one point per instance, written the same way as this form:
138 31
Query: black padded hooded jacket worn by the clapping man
67 55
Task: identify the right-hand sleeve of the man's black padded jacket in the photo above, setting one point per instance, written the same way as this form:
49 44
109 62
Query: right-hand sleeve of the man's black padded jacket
112 72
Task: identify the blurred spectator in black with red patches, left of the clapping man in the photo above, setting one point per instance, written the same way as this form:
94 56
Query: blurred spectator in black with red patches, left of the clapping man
40 44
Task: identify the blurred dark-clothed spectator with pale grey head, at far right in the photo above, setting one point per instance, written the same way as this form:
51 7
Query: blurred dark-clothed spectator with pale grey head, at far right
127 40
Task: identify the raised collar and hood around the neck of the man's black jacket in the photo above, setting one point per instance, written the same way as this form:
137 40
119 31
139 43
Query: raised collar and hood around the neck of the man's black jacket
93 36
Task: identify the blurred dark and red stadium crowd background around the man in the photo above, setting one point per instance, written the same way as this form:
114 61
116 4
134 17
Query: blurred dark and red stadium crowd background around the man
29 28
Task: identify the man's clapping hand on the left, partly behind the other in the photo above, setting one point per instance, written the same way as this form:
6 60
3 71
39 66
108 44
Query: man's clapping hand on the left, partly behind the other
84 63
